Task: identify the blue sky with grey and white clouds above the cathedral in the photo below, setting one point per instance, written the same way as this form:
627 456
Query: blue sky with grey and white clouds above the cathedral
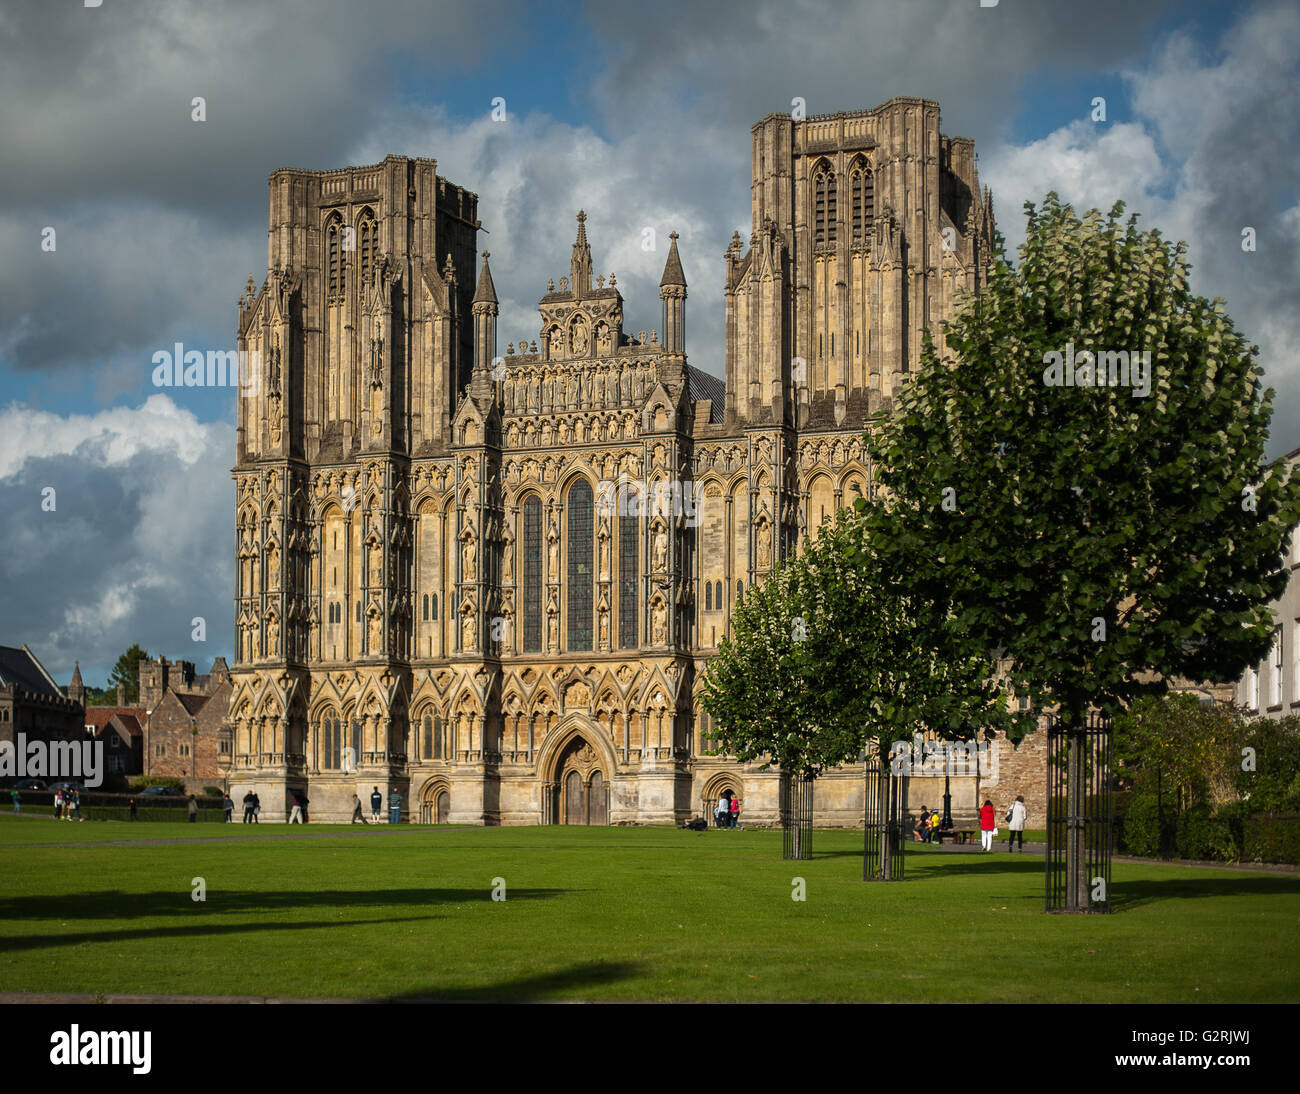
640 114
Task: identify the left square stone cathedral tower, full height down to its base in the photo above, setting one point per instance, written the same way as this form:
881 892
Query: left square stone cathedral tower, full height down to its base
362 336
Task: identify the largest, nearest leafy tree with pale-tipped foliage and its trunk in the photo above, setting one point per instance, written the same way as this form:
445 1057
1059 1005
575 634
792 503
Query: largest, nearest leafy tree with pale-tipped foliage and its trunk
1106 539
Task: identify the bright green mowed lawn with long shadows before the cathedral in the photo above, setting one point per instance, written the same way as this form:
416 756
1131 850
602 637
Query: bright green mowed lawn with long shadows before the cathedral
649 914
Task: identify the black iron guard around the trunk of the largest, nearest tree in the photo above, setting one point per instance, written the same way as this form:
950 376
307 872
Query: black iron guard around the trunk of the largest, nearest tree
1081 817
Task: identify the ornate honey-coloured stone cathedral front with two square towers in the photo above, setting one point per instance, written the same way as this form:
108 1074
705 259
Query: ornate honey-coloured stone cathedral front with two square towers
491 578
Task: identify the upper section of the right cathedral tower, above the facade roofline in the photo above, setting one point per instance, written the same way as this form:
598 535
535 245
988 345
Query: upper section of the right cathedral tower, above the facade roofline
866 225
